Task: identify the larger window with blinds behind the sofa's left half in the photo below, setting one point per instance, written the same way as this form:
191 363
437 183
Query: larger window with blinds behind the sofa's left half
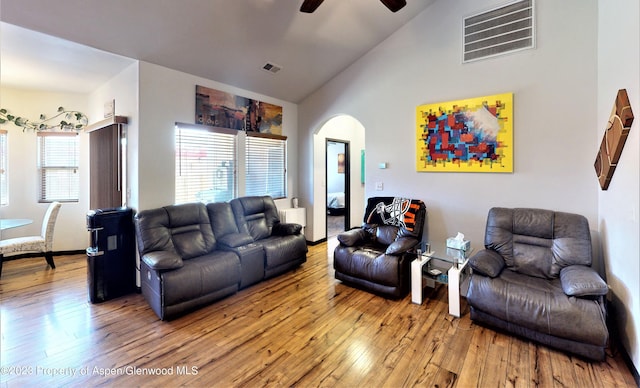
205 164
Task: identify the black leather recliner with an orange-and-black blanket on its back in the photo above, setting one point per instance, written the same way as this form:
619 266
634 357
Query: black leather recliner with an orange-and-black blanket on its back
377 256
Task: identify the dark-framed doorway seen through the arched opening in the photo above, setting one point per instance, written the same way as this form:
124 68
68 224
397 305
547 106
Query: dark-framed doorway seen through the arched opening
337 188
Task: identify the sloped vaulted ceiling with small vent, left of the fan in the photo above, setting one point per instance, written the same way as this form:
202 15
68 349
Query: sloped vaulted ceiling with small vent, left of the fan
68 45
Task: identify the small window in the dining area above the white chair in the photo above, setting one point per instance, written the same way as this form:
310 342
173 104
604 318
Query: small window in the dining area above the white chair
58 160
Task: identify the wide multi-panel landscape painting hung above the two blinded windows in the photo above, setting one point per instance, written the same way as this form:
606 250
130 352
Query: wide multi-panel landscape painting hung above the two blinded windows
221 109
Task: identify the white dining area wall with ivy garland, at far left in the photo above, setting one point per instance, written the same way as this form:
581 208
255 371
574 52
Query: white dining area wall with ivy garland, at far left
70 232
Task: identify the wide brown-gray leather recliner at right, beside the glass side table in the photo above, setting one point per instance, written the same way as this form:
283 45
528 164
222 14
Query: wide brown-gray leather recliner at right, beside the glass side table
535 280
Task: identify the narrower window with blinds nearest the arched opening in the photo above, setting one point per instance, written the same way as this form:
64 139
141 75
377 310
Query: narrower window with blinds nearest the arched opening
266 161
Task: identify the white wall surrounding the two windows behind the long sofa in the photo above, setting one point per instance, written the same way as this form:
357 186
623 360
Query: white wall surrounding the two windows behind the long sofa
168 96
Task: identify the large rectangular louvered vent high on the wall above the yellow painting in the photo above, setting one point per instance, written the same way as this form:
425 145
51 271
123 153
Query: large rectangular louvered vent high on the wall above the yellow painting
498 31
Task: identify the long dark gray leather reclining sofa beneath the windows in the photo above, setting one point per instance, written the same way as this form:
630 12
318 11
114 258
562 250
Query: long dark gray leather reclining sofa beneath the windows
193 254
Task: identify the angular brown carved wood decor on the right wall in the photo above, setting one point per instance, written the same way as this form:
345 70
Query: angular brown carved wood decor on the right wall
614 138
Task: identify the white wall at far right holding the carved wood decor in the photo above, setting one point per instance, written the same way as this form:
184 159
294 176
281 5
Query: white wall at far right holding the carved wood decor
619 68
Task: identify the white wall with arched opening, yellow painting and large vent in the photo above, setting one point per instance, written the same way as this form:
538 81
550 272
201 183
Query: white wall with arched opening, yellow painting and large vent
554 90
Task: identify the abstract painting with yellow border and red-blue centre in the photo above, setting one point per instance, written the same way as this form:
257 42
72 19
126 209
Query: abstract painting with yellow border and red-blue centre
472 135
